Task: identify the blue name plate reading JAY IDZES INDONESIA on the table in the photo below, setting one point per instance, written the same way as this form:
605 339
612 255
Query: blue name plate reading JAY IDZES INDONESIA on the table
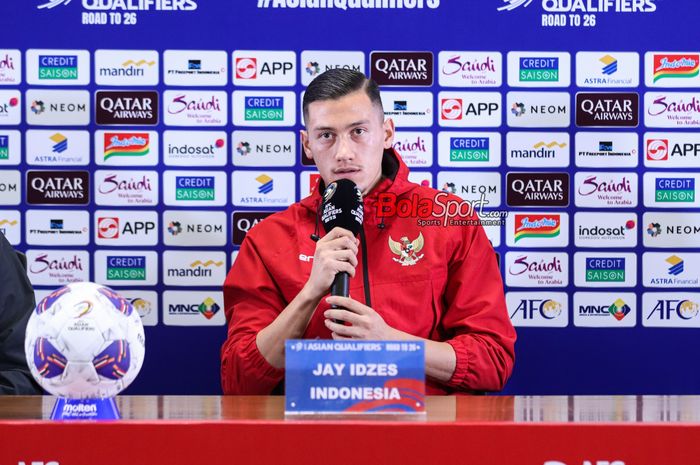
370 377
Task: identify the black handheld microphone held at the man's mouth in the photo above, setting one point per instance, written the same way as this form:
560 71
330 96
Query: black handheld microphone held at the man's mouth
342 206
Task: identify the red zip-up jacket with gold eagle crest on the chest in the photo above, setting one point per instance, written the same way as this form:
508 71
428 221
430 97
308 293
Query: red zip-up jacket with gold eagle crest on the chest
453 293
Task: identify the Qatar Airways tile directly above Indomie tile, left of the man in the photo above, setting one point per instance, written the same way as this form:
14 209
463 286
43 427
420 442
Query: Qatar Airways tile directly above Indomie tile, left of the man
127 107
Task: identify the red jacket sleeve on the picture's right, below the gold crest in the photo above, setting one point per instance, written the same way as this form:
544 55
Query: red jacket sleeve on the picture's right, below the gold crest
477 316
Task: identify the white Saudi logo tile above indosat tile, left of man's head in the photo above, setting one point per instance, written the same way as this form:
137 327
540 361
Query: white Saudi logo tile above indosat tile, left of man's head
195 108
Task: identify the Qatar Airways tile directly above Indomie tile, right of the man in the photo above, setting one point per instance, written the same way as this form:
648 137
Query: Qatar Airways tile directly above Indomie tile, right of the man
538 189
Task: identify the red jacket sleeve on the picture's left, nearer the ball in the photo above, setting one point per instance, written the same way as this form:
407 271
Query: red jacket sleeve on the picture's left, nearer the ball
251 301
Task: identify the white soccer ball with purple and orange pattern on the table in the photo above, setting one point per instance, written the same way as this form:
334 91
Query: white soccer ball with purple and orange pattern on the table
84 341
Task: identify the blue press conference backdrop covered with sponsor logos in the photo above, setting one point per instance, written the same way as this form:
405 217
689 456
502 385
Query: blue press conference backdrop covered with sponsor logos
140 140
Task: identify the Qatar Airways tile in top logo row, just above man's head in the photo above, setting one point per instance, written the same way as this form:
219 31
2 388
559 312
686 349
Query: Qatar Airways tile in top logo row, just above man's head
402 68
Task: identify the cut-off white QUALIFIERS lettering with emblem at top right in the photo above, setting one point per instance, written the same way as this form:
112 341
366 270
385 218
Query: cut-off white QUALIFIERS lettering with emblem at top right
585 6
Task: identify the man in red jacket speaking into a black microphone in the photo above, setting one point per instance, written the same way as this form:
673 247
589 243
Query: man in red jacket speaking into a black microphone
409 281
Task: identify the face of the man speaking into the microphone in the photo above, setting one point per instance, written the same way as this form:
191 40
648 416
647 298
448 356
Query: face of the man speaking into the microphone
346 138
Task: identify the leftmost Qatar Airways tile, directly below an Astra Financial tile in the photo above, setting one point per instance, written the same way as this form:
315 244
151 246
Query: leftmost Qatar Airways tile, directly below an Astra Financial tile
58 187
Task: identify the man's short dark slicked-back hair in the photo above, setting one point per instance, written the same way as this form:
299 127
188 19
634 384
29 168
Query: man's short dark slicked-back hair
336 83
